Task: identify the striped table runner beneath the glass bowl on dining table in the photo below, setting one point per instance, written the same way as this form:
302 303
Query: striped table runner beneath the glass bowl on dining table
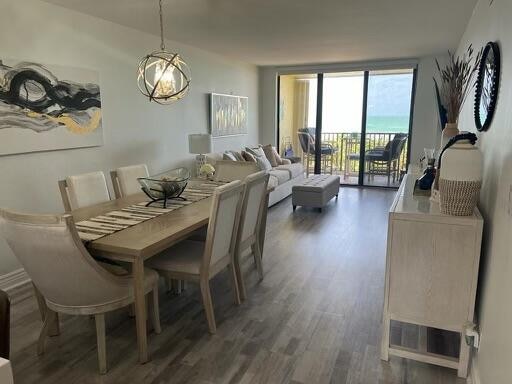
111 222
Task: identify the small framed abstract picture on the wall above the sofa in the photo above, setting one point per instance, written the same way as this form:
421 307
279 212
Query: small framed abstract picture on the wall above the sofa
229 115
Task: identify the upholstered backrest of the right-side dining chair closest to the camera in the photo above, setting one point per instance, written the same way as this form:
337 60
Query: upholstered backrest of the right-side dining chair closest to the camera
224 221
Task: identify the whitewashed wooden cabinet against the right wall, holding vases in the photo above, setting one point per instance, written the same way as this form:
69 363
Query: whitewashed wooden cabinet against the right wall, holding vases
431 273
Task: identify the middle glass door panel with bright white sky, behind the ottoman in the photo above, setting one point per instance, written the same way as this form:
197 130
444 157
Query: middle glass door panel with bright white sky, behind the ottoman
342 111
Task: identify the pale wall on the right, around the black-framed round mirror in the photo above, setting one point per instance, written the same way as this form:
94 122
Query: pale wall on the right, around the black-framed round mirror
494 309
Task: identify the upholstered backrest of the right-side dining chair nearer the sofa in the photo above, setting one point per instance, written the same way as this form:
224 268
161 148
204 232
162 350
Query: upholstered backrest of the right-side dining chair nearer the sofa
252 206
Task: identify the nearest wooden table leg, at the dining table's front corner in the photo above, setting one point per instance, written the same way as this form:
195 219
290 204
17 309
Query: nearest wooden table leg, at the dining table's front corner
140 310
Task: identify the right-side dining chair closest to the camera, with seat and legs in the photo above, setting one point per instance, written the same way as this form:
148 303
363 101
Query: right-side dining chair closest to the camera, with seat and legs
199 261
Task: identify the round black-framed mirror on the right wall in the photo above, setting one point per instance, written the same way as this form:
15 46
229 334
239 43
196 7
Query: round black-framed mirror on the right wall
487 86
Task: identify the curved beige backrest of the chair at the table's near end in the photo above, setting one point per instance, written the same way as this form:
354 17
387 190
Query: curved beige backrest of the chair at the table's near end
52 254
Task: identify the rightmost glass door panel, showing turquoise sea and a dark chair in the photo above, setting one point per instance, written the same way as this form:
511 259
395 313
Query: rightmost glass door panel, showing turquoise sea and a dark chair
387 126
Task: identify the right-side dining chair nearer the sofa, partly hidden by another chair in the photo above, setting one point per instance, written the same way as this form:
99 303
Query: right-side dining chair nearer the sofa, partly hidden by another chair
248 235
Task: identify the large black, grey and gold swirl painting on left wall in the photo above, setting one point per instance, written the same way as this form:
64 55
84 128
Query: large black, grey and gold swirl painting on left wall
48 108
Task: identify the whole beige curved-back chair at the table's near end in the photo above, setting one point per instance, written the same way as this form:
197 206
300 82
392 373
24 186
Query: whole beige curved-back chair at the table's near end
65 274
